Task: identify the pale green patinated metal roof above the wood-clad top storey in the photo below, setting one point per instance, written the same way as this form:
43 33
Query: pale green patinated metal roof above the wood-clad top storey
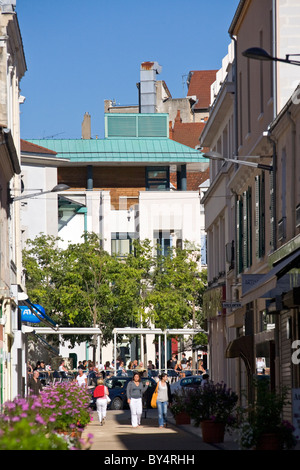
150 150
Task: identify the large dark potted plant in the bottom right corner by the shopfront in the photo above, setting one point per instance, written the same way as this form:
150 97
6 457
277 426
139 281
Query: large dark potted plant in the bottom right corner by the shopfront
262 426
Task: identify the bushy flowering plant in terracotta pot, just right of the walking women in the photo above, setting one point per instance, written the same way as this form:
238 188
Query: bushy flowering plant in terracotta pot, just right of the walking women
212 407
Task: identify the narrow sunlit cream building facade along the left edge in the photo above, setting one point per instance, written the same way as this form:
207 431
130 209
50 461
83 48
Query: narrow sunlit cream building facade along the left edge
12 68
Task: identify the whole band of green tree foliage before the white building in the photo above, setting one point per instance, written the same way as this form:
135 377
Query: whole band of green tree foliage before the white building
83 286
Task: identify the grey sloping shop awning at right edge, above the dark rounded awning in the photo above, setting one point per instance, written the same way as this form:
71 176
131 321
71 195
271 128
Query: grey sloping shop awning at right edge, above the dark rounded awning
268 282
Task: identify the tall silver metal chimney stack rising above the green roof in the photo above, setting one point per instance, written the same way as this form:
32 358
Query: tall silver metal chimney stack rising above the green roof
148 73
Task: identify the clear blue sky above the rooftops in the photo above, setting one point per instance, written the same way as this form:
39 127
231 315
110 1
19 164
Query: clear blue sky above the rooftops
81 52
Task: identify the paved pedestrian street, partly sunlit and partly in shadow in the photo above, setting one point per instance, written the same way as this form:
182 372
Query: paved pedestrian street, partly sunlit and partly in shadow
117 434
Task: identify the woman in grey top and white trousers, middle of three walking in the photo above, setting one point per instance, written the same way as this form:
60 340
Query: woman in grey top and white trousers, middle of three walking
135 391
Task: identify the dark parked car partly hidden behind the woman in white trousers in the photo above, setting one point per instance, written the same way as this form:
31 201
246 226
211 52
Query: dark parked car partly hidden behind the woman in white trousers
117 386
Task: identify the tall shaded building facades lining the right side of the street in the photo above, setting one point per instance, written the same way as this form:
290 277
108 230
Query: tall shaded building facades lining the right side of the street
253 328
